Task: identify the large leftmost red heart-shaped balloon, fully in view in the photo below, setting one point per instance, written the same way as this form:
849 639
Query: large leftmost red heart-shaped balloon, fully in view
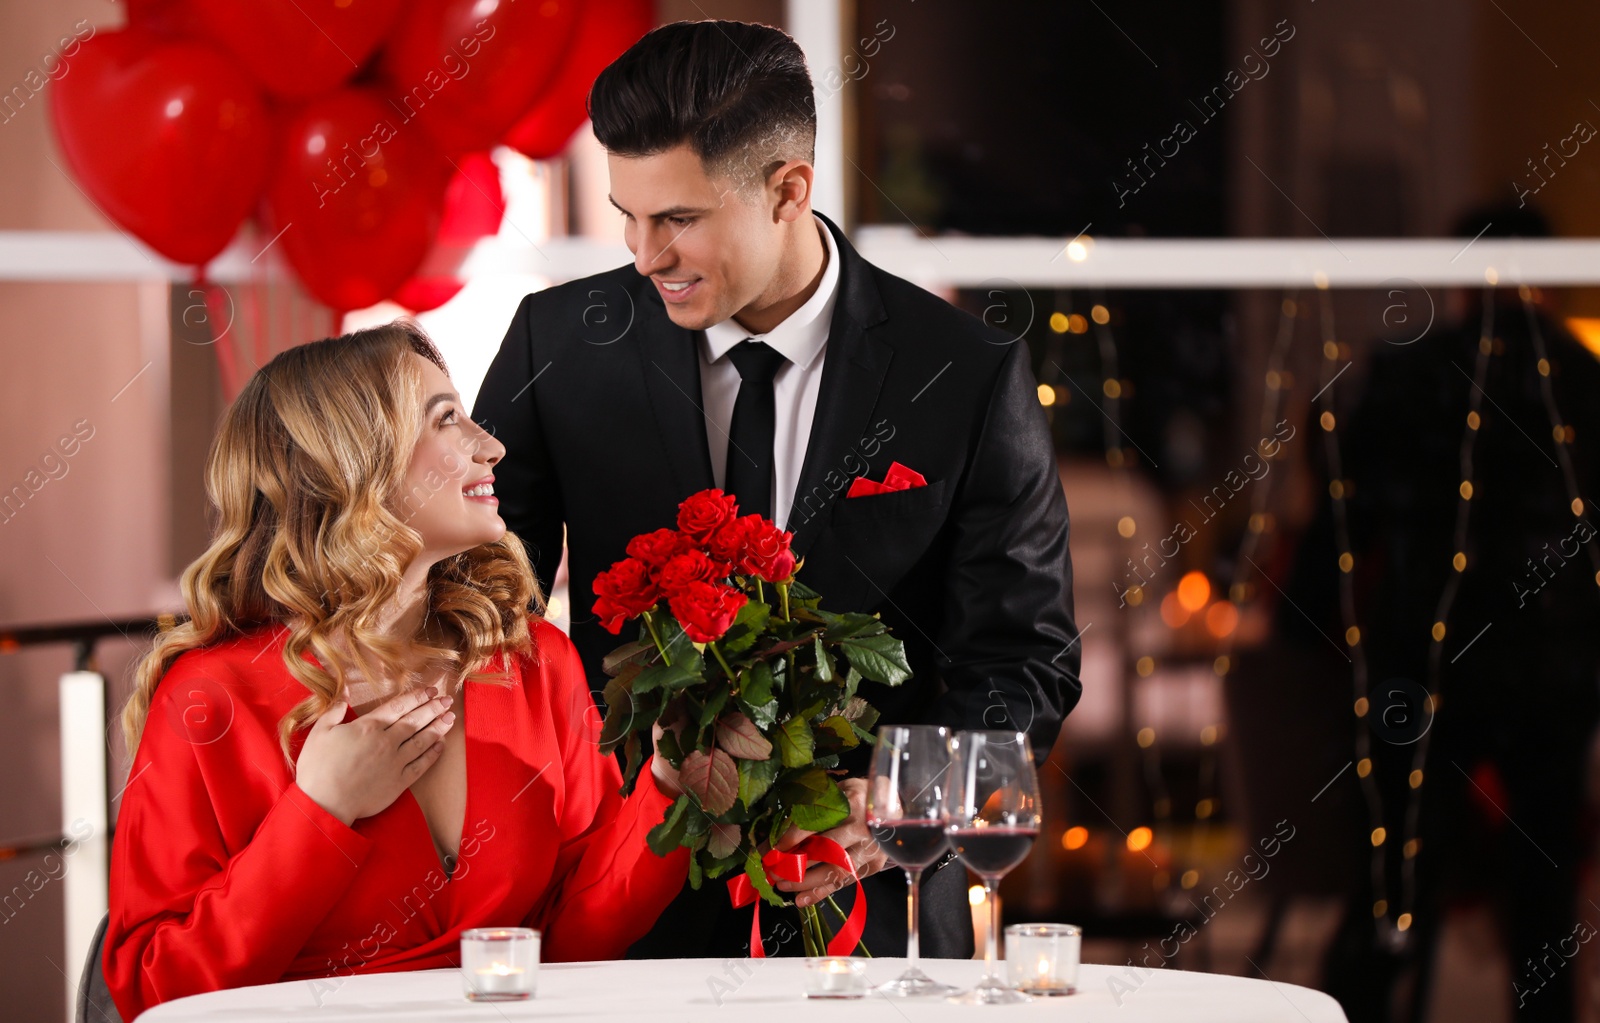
169 138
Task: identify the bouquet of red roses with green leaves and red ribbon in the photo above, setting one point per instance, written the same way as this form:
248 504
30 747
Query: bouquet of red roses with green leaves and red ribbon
758 700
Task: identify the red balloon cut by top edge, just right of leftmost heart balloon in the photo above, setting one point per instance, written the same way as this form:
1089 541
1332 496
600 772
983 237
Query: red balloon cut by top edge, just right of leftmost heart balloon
298 49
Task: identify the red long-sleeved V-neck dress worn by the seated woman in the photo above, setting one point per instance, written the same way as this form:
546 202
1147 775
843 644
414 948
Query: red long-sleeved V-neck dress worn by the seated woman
226 875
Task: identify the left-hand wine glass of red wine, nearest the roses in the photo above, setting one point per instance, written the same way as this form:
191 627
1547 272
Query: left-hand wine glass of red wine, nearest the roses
906 814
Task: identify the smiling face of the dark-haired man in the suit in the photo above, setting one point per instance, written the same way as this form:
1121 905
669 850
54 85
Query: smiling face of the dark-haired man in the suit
710 249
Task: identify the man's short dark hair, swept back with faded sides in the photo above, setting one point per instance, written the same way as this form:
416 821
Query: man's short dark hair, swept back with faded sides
737 94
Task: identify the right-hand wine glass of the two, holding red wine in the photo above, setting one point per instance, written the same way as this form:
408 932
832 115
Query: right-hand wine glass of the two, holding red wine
994 820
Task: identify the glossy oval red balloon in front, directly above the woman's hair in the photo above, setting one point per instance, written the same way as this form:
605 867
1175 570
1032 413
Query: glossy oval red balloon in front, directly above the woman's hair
356 196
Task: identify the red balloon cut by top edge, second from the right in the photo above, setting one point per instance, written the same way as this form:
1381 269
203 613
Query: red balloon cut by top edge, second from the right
471 76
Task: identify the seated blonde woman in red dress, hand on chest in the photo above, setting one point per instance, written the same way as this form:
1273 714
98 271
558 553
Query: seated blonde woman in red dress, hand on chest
362 740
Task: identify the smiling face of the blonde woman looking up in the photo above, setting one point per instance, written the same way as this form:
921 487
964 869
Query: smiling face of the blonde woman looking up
452 457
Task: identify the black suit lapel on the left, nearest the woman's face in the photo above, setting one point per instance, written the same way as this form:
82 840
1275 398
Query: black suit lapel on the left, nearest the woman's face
671 367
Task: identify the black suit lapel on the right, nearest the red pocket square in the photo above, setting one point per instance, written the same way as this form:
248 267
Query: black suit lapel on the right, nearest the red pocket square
854 372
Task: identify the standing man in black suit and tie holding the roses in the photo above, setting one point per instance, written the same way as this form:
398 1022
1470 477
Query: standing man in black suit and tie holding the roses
751 348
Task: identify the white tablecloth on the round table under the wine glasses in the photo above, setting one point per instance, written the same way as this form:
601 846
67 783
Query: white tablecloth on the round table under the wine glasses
711 990
